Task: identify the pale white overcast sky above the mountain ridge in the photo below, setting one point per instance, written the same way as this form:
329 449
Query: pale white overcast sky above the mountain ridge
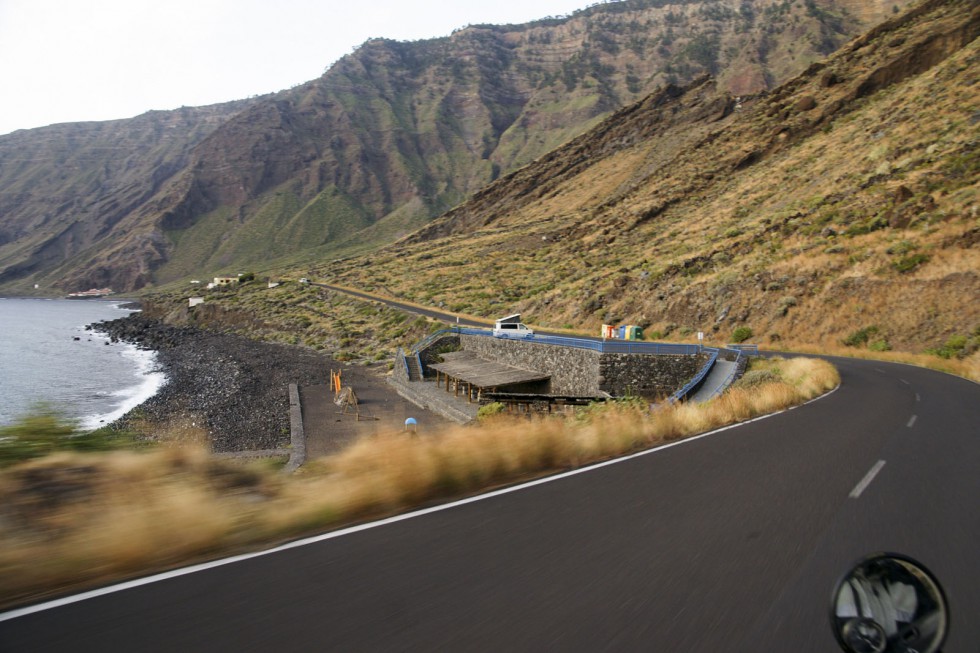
74 60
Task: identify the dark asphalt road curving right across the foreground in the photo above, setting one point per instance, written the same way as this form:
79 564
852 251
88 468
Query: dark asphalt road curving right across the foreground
730 542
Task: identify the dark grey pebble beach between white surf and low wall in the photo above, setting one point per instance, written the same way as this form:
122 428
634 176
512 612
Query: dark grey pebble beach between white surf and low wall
234 388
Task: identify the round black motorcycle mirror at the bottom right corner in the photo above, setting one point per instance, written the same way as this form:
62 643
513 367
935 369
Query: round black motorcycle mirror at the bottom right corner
889 603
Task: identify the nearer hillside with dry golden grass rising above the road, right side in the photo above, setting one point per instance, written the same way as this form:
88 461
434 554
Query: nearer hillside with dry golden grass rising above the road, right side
842 205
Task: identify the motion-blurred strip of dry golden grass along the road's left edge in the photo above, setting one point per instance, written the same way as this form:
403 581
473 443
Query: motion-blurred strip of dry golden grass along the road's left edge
70 521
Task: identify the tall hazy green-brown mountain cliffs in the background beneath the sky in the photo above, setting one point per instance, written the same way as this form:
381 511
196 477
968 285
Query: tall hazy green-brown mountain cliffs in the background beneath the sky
388 138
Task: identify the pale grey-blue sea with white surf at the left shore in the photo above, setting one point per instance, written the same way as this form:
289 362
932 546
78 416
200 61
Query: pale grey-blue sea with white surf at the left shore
88 379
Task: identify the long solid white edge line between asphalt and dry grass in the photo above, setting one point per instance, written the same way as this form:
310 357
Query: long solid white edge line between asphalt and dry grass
148 580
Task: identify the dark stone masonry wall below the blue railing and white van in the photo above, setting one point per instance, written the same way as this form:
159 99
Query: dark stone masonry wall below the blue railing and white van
588 373
